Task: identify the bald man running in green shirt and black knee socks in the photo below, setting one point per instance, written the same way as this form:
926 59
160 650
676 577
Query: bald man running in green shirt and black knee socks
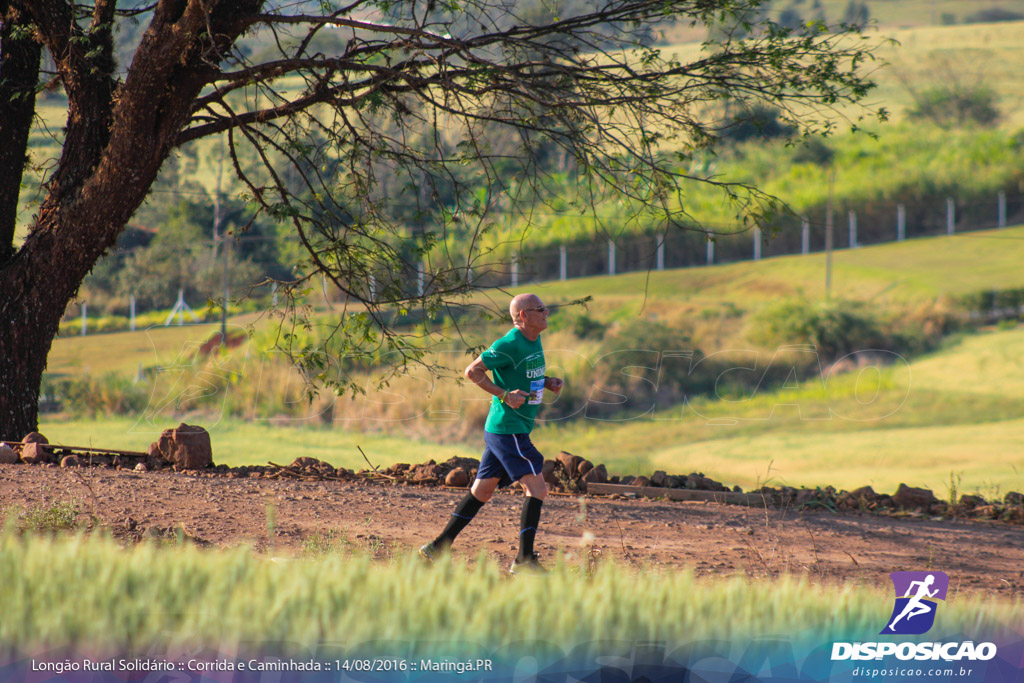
517 362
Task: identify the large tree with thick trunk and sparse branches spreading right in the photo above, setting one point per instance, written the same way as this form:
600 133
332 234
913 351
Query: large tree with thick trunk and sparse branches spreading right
385 133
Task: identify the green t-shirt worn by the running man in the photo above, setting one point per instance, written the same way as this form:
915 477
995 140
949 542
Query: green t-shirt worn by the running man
516 363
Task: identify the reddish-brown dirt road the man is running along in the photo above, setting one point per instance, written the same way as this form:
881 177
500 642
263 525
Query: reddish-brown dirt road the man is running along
711 540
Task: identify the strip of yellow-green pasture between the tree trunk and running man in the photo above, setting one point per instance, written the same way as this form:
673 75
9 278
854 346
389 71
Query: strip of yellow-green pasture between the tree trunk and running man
237 443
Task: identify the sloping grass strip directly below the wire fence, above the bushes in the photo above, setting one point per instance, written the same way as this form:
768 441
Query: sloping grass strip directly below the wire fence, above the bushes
917 272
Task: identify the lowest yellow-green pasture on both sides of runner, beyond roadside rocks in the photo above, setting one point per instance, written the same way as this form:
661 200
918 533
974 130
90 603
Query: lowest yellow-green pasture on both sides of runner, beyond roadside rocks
955 416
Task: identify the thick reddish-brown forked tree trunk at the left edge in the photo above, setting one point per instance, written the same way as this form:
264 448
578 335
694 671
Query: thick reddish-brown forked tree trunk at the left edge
115 146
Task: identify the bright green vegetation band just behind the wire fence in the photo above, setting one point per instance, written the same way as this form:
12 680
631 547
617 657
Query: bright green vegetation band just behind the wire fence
918 164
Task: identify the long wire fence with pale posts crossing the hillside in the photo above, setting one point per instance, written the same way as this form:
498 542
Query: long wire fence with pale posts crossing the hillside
852 227
